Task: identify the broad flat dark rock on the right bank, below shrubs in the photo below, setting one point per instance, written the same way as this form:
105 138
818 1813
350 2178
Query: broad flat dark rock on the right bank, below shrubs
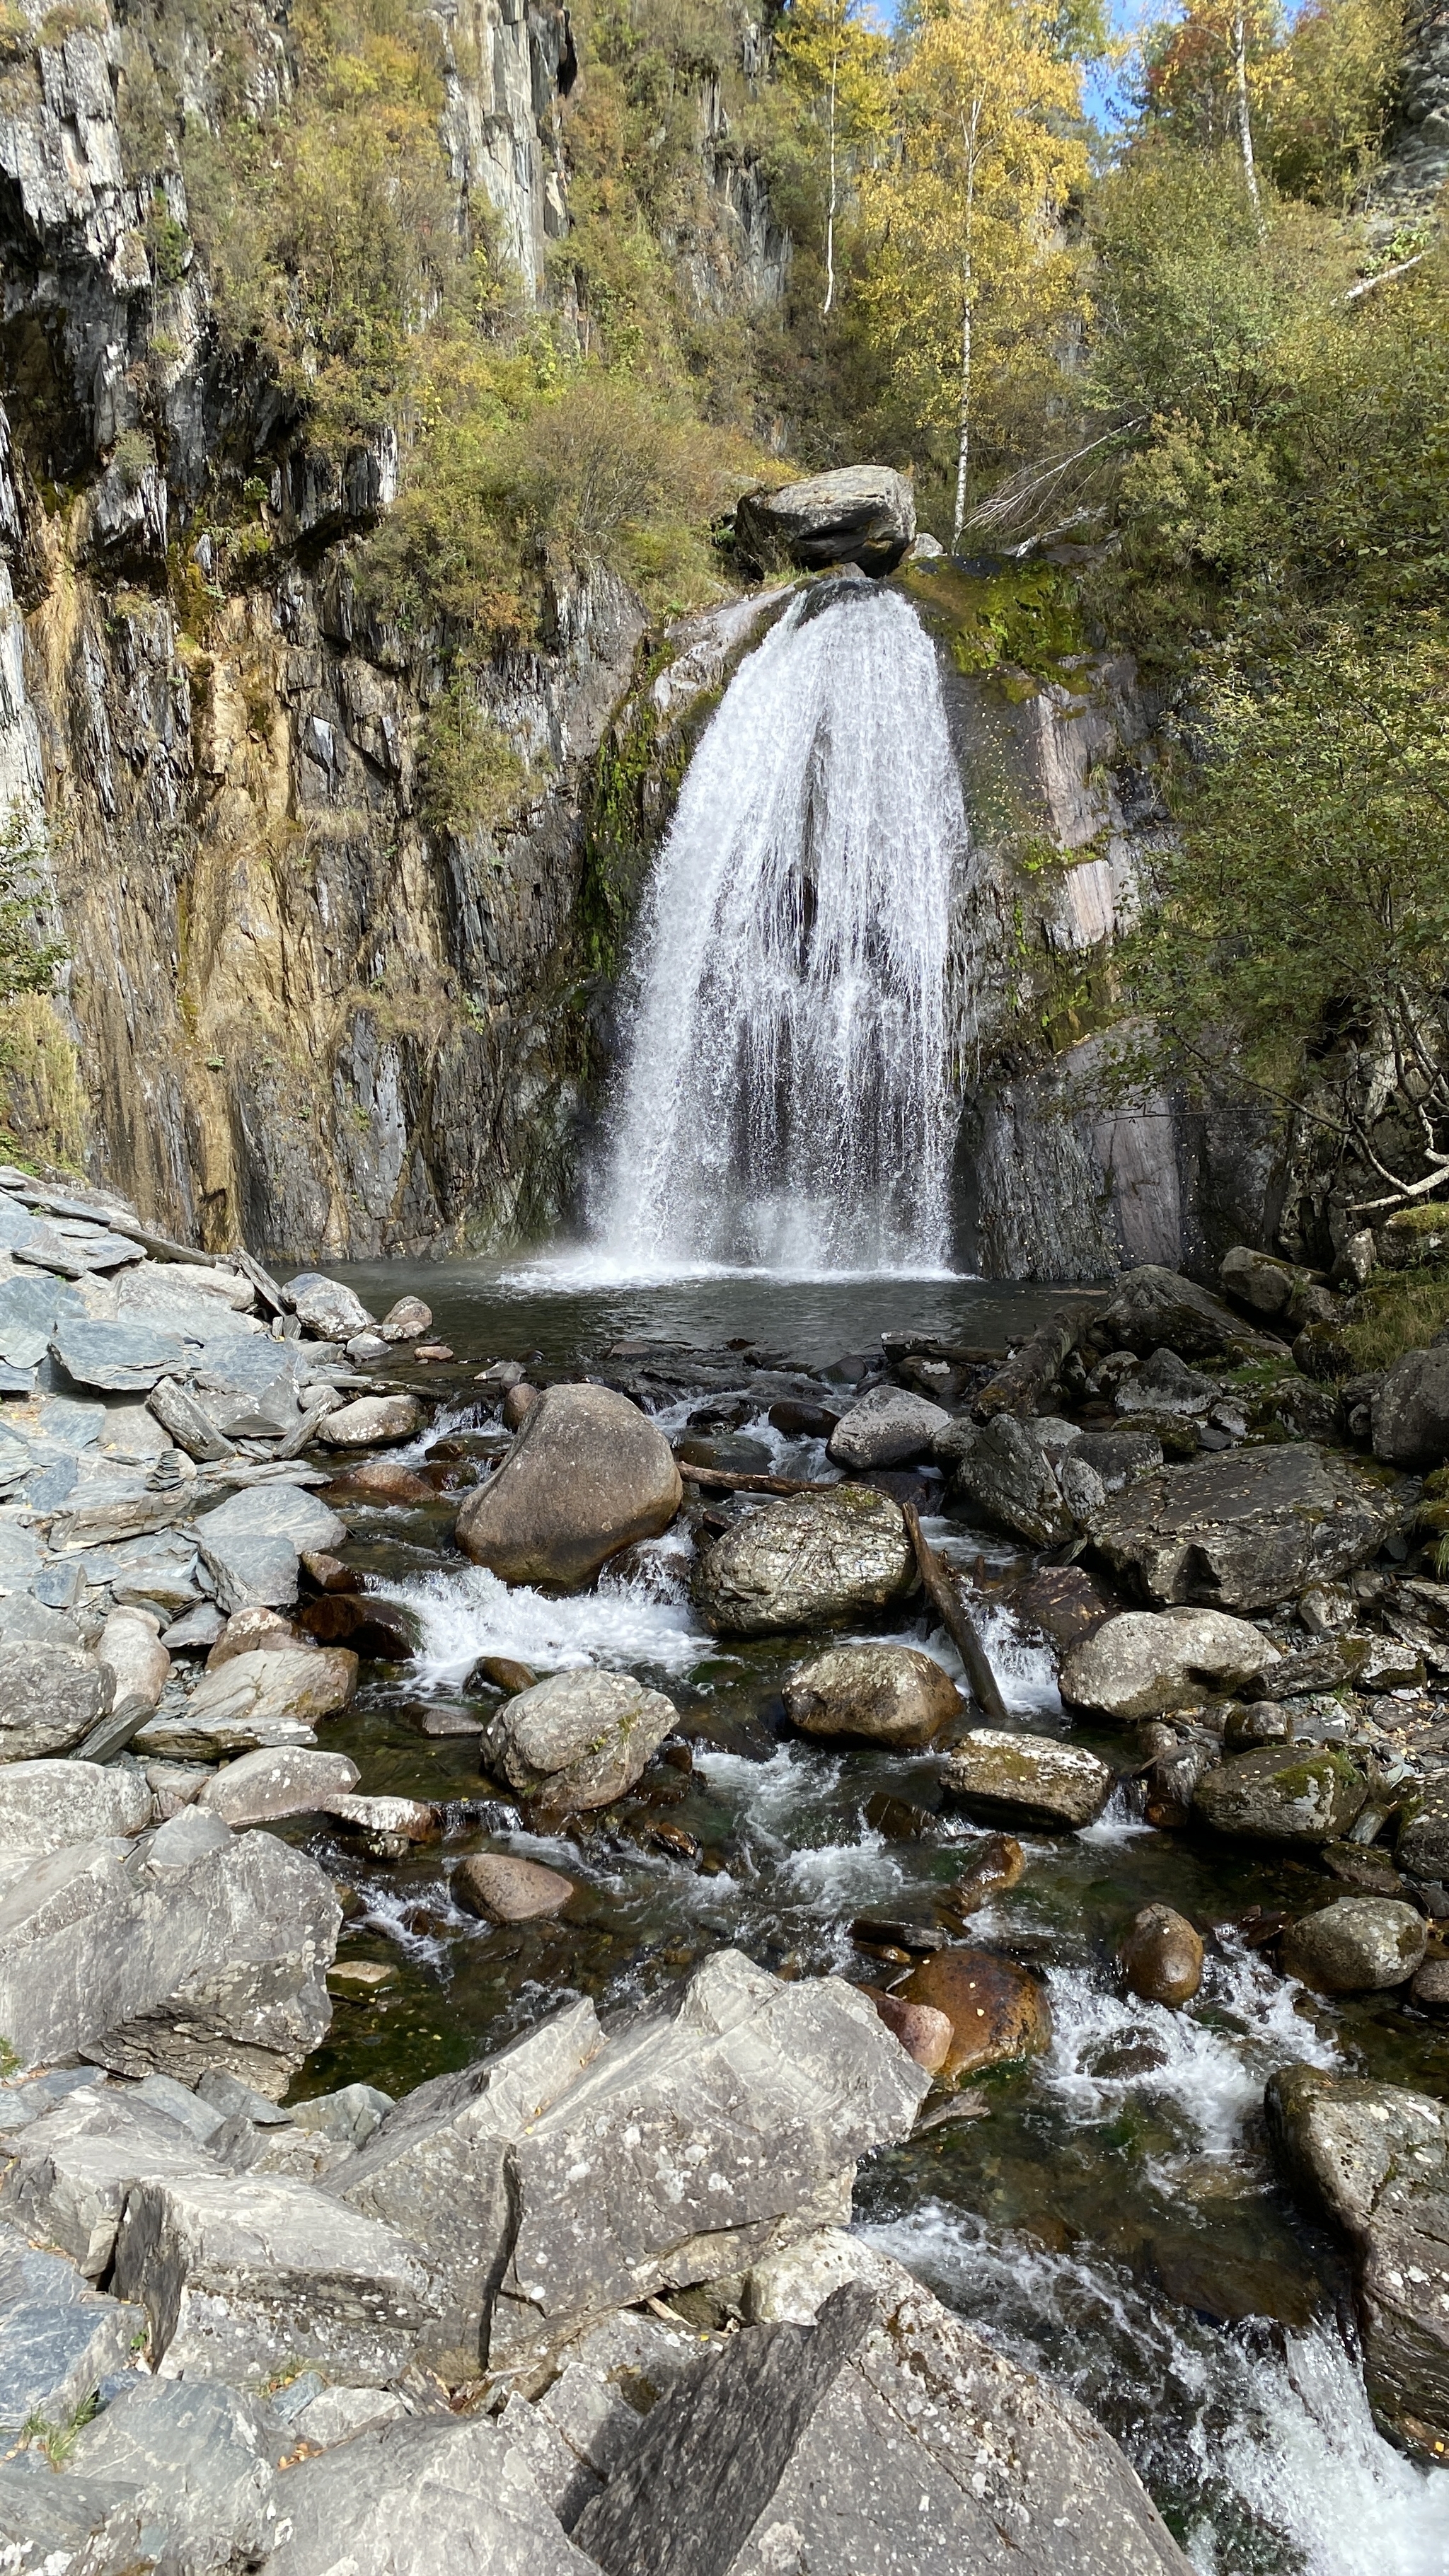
1247 1529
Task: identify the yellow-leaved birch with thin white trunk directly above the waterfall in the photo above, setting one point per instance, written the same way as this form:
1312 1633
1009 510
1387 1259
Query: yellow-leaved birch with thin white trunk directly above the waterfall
971 277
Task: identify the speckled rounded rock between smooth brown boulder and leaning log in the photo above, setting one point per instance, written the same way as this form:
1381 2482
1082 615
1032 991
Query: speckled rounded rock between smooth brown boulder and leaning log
806 1562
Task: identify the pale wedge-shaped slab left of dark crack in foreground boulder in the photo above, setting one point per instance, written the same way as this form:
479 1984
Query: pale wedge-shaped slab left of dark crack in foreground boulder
440 2173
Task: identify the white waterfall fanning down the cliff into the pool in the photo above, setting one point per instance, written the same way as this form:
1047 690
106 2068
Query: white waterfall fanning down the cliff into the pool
785 1096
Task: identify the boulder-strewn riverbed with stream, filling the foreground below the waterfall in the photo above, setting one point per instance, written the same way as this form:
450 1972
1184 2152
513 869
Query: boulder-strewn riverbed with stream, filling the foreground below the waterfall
481 1874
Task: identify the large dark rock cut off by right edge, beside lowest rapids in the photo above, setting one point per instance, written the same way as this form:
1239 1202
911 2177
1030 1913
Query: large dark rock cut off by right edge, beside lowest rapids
1376 2160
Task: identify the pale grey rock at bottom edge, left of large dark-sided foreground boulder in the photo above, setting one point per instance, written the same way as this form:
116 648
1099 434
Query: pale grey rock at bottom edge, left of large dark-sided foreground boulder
419 2497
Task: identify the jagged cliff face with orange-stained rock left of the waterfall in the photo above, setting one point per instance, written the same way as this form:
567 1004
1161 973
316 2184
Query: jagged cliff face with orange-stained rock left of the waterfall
293 1014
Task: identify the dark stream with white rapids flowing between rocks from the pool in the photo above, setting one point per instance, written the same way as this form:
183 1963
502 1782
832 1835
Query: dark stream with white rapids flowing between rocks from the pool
1113 2217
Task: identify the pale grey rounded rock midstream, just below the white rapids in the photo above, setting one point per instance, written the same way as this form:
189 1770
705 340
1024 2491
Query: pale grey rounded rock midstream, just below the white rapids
581 1738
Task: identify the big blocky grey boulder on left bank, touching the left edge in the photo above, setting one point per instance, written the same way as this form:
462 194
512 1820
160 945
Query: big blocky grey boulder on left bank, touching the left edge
213 1964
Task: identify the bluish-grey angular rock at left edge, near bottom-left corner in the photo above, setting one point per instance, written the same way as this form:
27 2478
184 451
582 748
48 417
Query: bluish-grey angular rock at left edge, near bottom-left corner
58 2335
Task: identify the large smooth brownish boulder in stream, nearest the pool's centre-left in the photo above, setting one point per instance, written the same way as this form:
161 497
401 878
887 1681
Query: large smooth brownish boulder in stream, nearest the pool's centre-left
589 1475
